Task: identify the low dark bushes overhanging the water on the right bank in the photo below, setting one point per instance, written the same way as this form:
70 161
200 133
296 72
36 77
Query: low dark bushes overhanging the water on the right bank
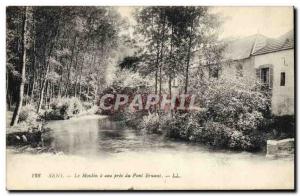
189 127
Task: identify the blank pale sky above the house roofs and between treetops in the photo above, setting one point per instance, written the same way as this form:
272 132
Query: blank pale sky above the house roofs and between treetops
244 21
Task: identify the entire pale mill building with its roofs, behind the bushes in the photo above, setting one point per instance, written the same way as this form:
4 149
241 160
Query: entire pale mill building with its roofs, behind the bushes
267 59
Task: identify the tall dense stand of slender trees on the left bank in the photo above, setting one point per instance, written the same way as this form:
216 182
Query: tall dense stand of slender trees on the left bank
67 50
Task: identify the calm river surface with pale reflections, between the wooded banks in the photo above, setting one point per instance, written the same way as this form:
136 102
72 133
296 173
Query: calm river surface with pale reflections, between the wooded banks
104 137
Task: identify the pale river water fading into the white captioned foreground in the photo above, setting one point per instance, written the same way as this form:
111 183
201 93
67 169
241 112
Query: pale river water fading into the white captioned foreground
99 145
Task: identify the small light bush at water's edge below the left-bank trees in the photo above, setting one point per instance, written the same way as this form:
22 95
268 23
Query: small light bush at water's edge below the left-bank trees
63 108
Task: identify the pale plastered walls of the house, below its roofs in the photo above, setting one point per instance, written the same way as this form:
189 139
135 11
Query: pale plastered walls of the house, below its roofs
282 96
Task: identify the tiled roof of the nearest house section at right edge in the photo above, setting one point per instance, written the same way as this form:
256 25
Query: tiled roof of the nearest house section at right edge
283 42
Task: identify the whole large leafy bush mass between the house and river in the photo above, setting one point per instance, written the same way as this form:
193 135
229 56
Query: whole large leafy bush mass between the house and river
233 116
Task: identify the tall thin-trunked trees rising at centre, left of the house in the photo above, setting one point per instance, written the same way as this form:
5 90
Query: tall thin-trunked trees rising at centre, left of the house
171 39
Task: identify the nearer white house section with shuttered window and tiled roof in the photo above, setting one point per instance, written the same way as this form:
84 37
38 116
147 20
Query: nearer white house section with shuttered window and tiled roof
274 64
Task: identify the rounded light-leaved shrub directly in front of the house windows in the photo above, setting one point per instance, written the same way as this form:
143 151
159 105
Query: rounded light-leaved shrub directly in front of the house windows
236 103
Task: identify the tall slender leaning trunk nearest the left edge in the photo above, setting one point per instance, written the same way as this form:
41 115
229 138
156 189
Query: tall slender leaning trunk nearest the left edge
26 36
